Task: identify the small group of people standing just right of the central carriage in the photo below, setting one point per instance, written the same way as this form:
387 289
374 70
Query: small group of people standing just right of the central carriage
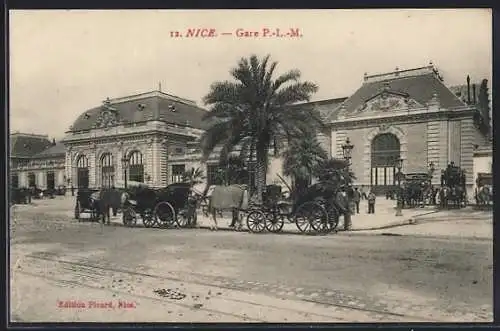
349 200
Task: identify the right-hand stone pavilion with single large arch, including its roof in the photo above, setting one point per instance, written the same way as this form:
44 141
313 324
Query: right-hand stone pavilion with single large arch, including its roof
431 124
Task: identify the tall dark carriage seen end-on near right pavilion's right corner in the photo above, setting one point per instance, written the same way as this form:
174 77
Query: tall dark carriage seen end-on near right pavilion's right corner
453 187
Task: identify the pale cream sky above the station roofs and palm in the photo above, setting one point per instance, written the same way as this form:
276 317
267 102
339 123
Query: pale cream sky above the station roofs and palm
63 62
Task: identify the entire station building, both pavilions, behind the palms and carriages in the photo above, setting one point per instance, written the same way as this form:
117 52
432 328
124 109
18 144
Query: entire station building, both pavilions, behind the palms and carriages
153 137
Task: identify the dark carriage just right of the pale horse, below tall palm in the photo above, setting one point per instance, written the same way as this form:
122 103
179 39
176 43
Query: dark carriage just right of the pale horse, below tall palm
313 211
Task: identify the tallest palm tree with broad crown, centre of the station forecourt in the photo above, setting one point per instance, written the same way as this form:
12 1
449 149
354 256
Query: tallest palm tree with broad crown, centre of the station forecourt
253 112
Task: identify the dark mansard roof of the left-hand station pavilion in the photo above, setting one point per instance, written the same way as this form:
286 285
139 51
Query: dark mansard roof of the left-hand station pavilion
150 107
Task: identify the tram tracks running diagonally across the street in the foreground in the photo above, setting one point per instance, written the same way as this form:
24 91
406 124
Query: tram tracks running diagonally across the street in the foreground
92 275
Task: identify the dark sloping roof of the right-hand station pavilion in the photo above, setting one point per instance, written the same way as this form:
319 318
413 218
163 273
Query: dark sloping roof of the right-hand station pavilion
419 87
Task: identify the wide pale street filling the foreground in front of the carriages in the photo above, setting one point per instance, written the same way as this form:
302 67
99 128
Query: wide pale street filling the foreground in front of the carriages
198 275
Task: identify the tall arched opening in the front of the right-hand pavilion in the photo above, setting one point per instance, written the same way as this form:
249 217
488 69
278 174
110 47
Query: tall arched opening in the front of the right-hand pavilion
385 151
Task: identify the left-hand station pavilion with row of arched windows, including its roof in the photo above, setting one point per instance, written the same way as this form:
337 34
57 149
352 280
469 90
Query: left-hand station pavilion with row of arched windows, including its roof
148 129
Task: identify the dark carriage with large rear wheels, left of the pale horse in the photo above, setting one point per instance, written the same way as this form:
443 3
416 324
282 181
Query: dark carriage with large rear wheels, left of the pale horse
165 207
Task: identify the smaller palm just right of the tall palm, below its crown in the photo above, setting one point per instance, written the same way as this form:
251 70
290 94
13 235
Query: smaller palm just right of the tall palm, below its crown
301 159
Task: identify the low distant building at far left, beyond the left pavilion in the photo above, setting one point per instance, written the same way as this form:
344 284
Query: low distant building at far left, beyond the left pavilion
36 161
